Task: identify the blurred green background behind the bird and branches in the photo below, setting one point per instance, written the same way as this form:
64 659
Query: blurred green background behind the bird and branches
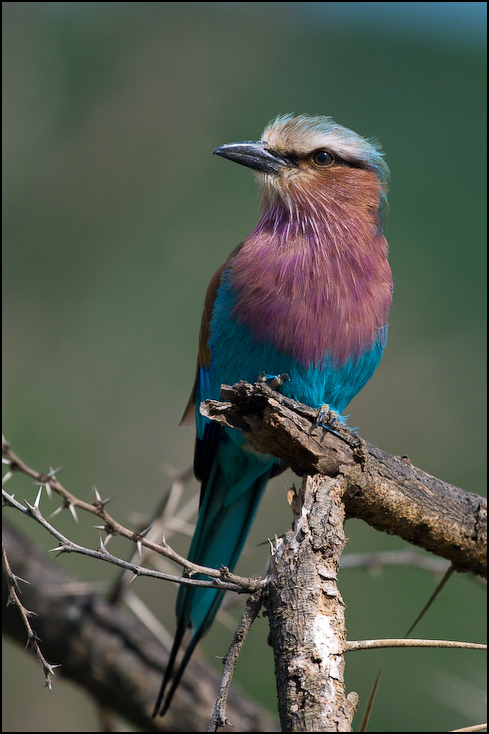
115 217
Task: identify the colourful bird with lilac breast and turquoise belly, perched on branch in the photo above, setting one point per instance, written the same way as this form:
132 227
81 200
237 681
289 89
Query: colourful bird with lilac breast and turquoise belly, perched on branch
306 295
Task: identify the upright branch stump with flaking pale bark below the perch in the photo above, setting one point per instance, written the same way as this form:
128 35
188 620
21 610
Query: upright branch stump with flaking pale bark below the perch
306 614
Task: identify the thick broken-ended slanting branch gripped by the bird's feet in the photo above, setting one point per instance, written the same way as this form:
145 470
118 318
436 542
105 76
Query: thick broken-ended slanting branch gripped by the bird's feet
386 491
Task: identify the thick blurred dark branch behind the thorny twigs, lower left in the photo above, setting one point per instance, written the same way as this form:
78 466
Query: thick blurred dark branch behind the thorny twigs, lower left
108 652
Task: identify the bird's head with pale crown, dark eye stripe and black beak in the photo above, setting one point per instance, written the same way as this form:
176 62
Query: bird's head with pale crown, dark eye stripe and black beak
307 159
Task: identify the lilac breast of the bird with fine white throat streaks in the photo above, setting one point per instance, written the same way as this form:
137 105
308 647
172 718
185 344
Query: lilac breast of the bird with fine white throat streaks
314 288
